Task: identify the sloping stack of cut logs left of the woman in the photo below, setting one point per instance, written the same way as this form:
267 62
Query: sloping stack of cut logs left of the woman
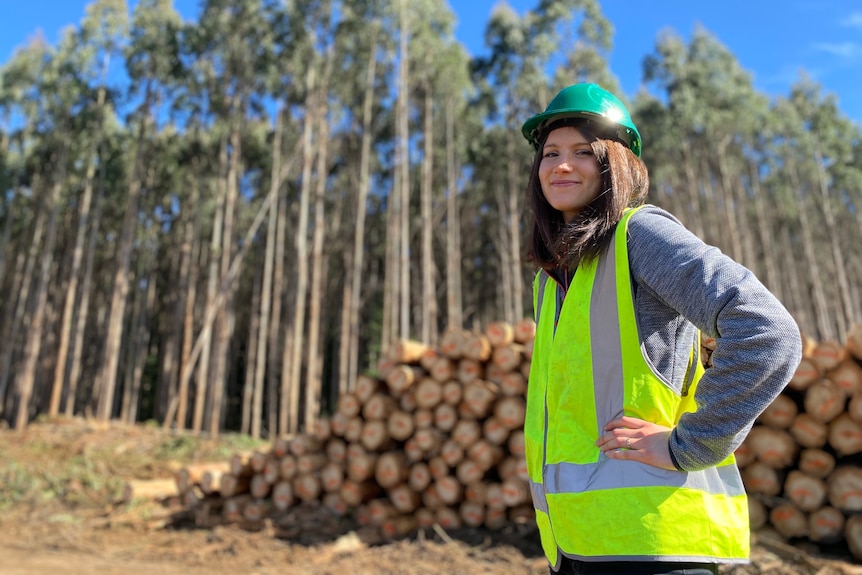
435 439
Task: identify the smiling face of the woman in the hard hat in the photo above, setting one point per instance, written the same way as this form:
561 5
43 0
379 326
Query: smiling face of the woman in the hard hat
568 172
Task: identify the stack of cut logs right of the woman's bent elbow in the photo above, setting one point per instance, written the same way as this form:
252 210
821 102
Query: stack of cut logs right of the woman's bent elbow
802 462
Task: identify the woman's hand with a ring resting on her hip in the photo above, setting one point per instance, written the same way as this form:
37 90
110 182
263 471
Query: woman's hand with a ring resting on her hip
637 440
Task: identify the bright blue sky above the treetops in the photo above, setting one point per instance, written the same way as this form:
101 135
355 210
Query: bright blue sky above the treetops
775 40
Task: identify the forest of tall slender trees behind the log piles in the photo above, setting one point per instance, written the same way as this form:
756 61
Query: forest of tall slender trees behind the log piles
217 224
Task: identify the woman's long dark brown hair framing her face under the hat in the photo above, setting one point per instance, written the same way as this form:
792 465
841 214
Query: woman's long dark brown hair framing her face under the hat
624 183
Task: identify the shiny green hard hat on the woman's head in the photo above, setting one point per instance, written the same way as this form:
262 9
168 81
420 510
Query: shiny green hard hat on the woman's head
589 101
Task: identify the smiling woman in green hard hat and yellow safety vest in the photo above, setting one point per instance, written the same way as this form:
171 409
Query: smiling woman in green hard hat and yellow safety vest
629 441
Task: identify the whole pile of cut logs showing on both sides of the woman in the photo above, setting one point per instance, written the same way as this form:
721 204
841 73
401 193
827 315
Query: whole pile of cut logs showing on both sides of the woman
437 438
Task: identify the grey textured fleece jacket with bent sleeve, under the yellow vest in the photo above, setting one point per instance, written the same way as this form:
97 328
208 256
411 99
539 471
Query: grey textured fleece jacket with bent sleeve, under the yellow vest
682 284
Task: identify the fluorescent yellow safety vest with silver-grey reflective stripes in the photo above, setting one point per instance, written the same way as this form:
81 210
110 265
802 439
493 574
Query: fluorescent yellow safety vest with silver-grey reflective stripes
587 369
